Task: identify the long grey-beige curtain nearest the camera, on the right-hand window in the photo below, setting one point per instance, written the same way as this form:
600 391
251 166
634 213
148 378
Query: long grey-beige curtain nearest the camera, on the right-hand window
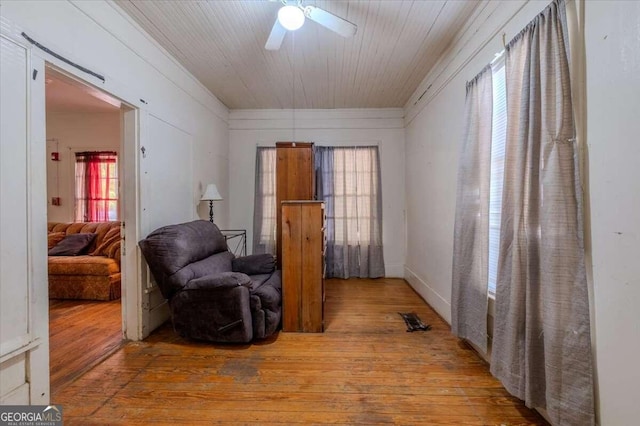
541 343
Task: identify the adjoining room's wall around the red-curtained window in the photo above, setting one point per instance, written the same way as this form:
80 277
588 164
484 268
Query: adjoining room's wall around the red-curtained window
67 133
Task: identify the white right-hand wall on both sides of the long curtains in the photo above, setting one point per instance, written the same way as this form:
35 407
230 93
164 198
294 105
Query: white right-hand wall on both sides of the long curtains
433 134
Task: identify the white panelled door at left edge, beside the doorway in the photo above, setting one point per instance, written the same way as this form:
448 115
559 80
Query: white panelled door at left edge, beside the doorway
24 351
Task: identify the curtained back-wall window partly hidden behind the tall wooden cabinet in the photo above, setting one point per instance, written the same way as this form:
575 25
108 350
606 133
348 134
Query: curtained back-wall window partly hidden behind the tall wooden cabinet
348 181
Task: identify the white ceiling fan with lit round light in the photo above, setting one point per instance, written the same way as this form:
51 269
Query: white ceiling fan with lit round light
291 16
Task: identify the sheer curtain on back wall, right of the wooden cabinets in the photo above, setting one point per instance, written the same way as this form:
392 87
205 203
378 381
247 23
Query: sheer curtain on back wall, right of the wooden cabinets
348 181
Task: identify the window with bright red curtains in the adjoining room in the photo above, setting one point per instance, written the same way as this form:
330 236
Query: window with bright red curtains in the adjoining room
96 194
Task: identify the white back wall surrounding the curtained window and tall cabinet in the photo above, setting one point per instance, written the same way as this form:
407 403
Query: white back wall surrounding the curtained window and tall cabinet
382 127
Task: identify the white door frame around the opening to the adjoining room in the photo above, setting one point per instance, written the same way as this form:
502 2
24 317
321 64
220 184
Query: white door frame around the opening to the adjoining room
33 350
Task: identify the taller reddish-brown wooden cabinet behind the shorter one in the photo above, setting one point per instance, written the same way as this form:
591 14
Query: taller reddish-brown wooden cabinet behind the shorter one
295 180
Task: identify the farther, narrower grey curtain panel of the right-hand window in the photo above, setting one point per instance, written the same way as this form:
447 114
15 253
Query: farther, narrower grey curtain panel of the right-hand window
471 231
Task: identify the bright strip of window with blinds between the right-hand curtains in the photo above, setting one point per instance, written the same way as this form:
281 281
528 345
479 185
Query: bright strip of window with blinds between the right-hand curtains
498 138
